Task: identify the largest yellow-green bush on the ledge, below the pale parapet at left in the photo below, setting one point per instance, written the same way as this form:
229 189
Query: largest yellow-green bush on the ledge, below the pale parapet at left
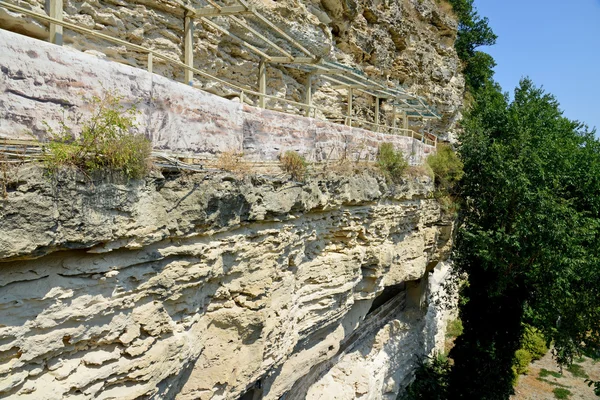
105 142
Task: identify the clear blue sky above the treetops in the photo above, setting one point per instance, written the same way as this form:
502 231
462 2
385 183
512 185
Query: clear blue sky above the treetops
554 42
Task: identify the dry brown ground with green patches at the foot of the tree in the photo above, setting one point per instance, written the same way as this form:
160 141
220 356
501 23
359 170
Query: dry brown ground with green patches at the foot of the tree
545 377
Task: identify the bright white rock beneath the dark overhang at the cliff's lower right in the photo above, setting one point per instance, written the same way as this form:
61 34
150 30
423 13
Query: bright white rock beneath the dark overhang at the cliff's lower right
383 363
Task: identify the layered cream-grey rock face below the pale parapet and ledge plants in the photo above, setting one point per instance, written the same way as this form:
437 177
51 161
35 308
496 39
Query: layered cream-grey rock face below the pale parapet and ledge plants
207 286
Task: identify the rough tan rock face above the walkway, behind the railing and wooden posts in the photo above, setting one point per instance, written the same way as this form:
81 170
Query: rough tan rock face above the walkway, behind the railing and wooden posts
408 42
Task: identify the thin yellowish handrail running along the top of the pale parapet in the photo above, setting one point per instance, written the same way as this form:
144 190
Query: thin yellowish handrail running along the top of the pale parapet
309 110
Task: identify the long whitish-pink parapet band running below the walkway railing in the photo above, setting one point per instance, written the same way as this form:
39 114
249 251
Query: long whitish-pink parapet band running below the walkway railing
44 84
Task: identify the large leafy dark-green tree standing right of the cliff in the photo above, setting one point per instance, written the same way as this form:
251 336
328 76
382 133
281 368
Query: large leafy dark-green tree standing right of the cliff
529 236
